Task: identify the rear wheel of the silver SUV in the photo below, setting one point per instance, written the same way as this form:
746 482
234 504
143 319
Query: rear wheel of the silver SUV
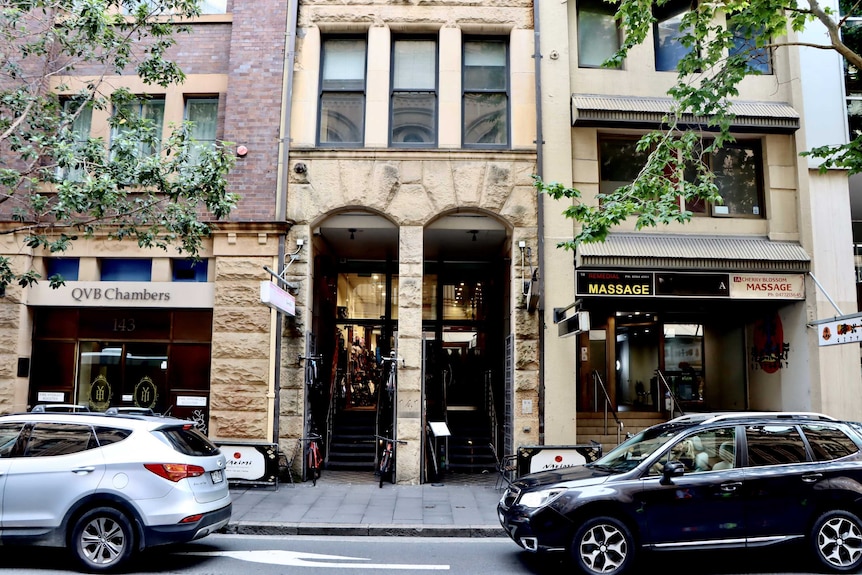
102 539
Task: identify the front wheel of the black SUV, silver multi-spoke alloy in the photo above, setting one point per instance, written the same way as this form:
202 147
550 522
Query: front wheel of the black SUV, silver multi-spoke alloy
603 545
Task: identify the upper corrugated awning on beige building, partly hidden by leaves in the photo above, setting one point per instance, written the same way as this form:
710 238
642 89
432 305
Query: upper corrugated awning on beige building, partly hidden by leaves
633 111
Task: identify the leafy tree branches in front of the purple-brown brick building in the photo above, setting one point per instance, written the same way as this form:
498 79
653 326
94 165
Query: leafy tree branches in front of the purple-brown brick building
57 186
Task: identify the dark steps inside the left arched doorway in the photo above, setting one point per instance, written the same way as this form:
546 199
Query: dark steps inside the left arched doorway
353 443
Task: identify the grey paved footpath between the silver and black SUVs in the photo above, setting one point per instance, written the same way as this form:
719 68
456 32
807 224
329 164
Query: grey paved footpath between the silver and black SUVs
336 506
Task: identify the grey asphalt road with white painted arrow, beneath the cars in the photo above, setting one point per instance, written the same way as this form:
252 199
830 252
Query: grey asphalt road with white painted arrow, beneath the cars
293 555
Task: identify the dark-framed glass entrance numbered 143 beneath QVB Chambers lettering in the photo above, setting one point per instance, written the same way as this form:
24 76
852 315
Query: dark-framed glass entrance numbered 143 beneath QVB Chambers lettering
158 359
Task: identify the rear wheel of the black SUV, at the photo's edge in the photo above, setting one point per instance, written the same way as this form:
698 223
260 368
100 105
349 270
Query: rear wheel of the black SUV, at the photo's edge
837 541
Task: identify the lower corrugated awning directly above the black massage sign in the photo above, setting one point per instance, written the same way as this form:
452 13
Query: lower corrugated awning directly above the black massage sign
693 252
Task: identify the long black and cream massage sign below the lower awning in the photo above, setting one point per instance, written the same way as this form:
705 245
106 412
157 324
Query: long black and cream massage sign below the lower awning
690 284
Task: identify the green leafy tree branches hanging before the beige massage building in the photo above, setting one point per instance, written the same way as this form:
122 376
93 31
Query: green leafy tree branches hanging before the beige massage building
722 39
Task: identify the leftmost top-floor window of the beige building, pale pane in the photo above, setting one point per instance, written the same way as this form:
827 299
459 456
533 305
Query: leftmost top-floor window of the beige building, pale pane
598 35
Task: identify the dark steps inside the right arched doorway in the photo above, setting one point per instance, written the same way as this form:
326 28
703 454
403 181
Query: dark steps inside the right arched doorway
469 444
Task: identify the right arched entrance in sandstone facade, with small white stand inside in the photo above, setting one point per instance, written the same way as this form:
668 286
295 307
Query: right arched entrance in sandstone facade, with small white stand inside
465 324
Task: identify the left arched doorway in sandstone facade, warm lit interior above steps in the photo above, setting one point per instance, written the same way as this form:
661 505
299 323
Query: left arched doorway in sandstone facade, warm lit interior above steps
354 326
